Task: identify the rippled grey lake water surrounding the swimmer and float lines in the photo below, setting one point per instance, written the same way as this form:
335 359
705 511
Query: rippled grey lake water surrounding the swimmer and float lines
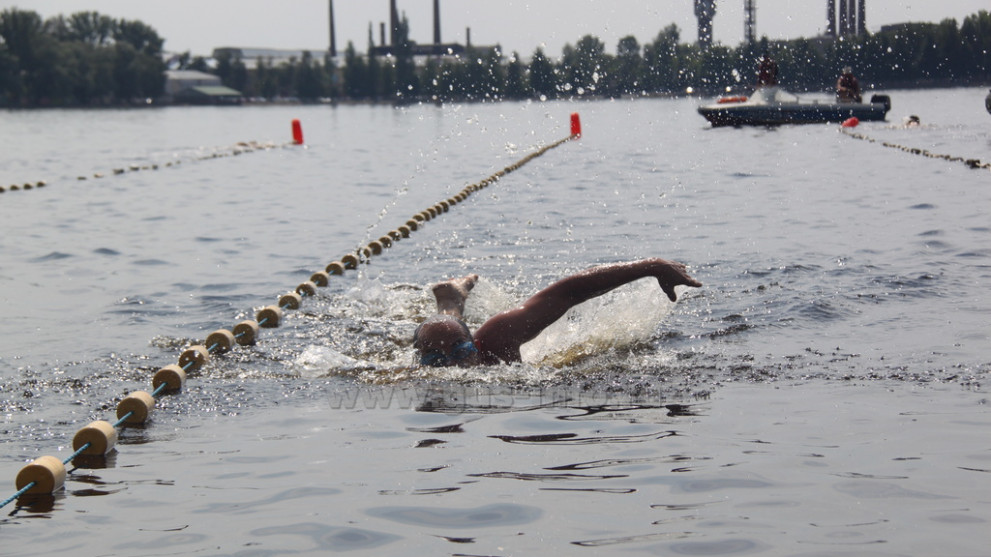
824 393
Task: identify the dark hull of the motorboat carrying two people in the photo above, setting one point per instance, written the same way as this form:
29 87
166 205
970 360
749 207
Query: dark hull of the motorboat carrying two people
799 113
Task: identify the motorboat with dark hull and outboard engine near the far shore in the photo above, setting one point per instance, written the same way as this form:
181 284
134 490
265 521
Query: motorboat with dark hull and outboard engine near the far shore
772 106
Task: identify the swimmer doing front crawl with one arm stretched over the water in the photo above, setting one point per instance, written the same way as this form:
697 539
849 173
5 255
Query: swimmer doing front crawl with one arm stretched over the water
445 339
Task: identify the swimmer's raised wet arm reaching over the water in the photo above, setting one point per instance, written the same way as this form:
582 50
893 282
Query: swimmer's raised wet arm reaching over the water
502 335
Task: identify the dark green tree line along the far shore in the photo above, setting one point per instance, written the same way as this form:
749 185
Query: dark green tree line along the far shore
89 59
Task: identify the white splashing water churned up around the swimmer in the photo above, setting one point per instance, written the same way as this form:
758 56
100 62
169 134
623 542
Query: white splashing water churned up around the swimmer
621 320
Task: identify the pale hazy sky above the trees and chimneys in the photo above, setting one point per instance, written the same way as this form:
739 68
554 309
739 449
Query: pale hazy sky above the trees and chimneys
199 26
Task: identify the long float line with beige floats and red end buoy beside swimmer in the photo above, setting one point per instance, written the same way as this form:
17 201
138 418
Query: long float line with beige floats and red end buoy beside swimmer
46 474
